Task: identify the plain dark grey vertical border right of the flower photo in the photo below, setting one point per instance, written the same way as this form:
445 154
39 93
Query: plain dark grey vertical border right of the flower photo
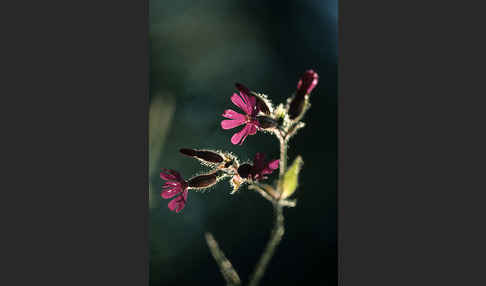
411 143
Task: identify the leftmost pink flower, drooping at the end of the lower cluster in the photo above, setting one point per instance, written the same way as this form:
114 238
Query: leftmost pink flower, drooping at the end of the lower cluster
175 186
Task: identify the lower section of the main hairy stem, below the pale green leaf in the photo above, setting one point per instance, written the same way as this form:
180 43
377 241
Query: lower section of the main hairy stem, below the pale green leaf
276 236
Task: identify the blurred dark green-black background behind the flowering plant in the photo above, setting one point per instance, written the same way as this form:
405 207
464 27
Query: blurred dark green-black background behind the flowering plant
198 50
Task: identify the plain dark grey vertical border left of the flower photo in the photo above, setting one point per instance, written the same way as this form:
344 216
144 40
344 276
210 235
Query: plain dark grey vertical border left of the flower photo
76 204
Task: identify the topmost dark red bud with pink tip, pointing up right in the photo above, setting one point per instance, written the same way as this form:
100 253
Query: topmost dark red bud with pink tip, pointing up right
304 87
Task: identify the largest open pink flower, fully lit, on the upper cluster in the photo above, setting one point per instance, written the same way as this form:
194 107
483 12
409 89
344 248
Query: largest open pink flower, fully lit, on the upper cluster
247 103
